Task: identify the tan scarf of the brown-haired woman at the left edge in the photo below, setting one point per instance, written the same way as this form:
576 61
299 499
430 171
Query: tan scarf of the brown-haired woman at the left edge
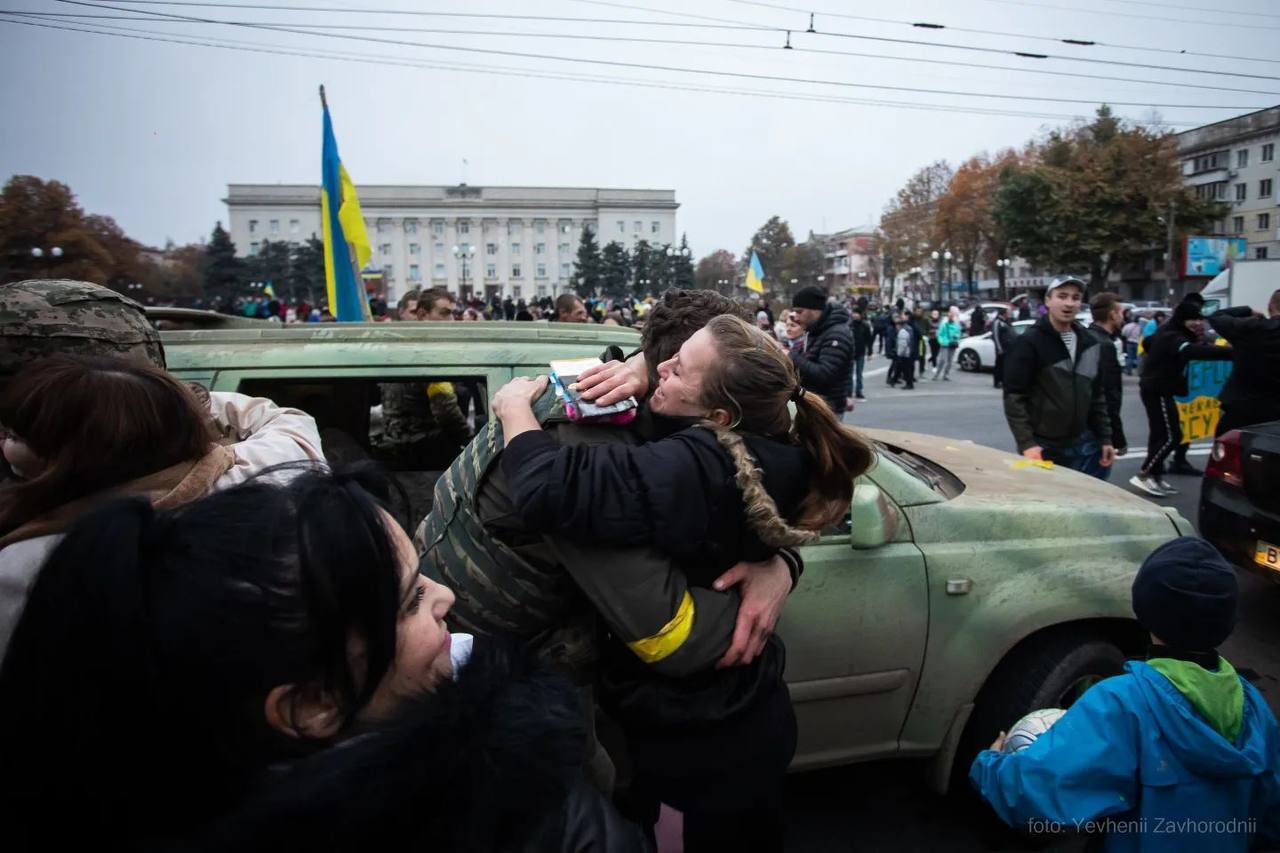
172 487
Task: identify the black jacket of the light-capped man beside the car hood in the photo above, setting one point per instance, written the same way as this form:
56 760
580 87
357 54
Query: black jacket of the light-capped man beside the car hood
1048 396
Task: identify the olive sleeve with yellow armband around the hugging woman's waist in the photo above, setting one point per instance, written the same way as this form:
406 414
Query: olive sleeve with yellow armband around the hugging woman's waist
648 604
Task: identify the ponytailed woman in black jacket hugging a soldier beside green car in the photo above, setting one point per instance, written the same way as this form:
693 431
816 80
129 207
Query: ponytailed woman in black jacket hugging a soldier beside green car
740 480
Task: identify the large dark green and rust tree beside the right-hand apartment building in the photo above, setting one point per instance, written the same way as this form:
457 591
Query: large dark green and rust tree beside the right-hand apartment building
1095 197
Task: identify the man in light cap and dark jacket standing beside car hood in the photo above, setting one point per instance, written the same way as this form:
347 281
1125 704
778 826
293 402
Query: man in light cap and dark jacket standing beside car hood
1054 396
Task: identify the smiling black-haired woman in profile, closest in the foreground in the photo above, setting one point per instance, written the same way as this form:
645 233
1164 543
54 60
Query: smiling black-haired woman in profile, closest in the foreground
267 667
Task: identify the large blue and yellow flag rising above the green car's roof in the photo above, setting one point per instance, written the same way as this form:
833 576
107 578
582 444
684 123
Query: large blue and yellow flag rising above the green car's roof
346 243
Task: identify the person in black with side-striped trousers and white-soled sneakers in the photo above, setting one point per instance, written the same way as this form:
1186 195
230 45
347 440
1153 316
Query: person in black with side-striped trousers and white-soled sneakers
1162 380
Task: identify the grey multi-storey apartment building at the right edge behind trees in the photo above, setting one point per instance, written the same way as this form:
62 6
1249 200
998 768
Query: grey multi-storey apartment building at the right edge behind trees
1236 162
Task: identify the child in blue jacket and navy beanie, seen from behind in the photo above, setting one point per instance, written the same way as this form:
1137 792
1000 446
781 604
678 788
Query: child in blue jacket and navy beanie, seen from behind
1178 754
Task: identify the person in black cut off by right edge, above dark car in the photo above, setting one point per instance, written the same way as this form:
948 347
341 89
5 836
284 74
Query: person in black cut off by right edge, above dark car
1252 393
